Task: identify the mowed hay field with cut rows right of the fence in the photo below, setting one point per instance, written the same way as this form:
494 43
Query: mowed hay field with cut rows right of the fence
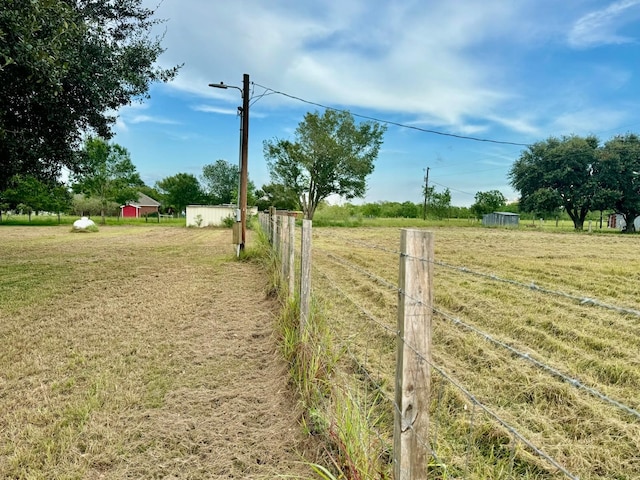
599 347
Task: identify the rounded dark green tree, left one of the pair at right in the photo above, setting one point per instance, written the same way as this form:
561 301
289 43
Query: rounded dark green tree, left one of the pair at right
558 173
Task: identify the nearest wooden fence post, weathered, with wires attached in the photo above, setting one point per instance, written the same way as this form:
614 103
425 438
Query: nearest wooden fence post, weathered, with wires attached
413 369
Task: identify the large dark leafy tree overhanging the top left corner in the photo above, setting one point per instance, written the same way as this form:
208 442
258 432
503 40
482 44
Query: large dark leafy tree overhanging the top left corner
64 65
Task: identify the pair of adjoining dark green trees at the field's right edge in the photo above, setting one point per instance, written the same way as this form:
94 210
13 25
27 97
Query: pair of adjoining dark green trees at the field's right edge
578 175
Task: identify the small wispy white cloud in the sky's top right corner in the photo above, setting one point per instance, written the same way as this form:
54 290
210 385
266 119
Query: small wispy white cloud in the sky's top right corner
601 26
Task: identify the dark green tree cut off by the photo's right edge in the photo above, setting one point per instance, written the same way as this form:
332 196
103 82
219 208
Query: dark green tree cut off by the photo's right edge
619 178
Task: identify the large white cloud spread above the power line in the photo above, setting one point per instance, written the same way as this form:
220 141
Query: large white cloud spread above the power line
398 57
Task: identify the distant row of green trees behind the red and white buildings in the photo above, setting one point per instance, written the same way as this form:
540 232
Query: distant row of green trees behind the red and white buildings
106 178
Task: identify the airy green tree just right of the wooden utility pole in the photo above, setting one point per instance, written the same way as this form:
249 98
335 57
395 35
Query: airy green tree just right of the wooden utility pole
330 155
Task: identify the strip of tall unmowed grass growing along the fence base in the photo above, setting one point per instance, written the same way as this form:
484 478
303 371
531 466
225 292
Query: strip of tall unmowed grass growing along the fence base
344 418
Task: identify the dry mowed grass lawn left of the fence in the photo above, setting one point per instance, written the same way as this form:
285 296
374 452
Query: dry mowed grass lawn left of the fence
139 353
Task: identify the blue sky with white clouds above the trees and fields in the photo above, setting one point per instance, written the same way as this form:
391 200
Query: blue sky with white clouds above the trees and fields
509 71
